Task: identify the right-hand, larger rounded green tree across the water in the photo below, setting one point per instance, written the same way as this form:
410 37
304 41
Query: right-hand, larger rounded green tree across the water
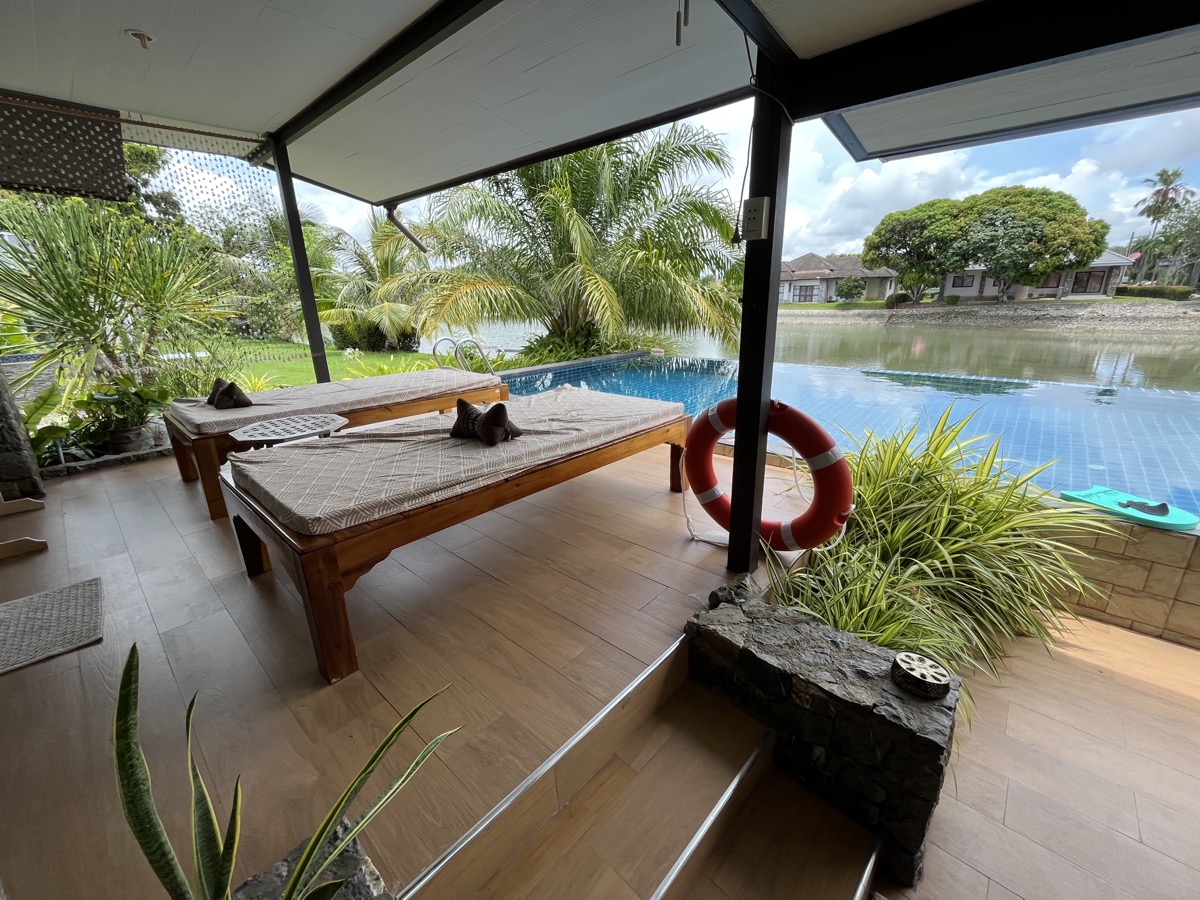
1022 236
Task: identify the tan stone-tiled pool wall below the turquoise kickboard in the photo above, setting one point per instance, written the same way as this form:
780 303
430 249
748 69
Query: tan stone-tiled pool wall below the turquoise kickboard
1149 581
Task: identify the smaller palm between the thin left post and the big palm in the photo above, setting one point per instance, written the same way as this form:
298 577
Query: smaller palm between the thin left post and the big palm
373 290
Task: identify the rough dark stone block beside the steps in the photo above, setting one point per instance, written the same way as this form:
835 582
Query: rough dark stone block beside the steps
843 728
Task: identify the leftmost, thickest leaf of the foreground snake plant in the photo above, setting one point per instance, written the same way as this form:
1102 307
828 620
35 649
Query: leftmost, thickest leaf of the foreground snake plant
134 787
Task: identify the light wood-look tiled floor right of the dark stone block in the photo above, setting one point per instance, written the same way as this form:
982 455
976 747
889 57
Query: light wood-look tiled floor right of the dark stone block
1078 778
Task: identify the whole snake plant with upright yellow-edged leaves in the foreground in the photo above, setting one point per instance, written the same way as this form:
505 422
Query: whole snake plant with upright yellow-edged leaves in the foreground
213 855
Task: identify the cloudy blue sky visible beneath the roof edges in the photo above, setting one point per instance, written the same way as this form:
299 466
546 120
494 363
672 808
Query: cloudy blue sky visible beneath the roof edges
833 203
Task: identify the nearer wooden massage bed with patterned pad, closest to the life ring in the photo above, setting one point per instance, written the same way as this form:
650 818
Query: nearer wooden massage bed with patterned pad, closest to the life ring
327 512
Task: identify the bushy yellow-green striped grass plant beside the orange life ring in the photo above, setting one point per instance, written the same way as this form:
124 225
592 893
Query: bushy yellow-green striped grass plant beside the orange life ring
950 553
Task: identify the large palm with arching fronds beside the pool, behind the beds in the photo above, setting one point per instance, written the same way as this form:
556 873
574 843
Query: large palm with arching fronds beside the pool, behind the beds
591 245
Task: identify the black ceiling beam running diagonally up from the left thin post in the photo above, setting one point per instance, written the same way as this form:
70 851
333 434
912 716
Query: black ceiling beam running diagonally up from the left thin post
435 27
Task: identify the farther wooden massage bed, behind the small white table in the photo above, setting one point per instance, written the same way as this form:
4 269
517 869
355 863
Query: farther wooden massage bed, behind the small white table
201 434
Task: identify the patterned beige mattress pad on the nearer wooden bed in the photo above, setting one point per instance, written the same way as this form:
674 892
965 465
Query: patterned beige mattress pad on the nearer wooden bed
350 478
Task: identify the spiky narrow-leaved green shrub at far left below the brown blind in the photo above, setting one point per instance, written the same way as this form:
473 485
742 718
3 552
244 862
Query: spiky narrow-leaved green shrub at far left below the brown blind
97 293
